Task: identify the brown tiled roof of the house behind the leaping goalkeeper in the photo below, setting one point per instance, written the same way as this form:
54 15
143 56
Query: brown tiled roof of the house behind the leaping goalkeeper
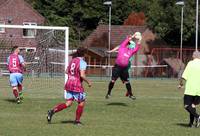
99 37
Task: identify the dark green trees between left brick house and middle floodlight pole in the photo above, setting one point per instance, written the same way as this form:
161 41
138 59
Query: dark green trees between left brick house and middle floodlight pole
81 16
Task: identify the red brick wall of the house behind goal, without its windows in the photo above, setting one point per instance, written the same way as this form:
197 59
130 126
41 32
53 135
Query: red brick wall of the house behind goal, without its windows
18 11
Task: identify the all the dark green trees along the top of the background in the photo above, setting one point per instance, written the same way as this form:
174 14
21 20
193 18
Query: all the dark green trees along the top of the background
163 17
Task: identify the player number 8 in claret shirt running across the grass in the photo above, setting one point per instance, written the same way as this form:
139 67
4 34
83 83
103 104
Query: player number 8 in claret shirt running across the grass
74 90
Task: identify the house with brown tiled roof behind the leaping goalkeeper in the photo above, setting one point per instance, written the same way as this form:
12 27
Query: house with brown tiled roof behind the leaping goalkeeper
97 44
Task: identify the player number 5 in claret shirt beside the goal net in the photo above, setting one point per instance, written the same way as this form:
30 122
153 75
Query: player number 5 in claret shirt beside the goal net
15 63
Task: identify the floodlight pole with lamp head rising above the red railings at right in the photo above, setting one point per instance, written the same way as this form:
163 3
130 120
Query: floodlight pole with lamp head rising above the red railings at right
181 3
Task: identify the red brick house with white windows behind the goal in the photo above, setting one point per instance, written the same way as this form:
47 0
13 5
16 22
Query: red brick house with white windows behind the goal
18 12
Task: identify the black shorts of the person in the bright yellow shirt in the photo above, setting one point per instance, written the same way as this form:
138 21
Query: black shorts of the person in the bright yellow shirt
189 100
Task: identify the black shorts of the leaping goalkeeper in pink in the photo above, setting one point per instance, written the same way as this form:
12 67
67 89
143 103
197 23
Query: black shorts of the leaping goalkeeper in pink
121 72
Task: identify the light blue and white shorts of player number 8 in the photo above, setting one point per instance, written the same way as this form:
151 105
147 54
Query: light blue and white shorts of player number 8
77 96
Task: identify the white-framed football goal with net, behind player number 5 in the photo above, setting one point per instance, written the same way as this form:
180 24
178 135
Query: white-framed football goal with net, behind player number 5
45 51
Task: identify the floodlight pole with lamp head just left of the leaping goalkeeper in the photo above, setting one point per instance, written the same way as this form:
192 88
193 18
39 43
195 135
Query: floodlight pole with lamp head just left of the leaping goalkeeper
109 3
